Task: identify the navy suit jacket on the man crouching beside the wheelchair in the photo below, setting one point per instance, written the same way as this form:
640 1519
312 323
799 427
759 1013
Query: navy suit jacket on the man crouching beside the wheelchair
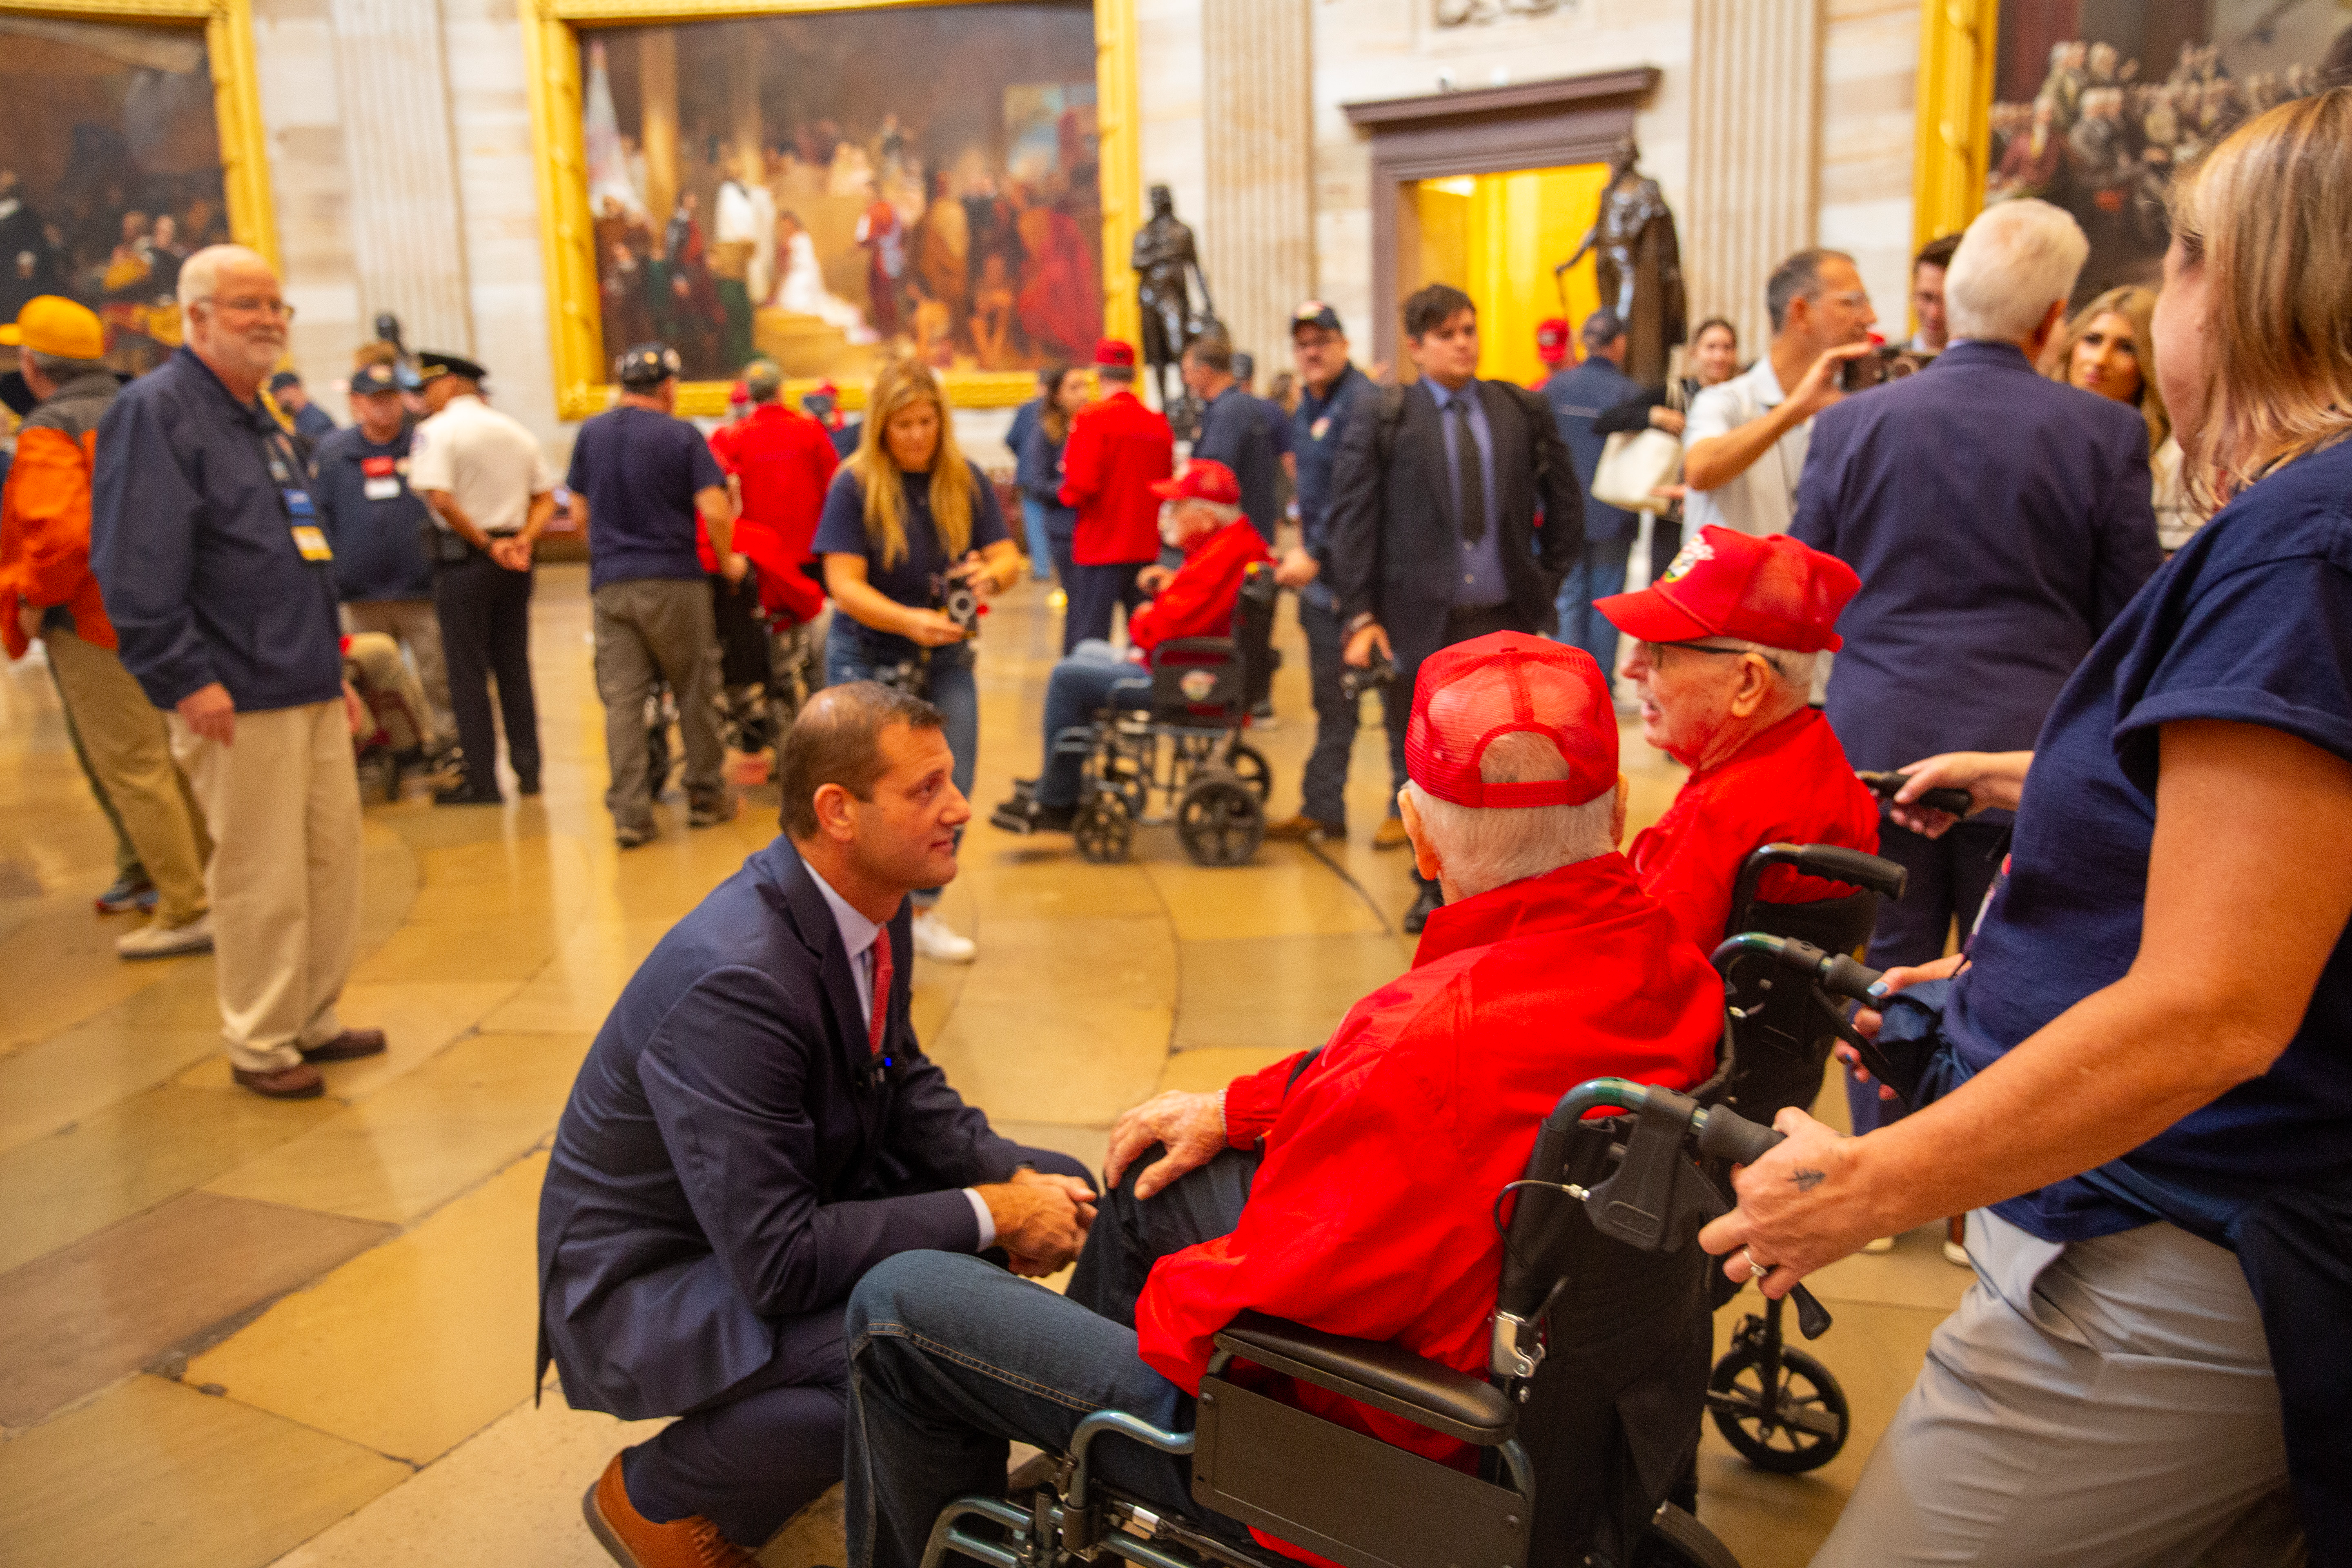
730 1162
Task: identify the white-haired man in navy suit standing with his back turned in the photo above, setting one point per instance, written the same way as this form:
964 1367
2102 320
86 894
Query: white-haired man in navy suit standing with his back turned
1998 523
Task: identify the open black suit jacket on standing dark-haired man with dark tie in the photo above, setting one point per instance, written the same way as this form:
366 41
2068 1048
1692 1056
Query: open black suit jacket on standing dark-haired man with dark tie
1394 532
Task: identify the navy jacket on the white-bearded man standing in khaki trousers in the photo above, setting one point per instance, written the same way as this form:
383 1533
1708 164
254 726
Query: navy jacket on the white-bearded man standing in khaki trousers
192 540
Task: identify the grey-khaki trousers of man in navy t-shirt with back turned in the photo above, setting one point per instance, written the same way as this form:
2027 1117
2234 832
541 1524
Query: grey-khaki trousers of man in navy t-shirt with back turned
646 629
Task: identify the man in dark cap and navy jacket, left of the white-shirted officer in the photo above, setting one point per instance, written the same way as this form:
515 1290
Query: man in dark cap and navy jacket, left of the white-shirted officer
380 535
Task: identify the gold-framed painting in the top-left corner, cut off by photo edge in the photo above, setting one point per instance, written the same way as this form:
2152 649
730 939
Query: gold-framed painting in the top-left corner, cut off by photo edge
131 138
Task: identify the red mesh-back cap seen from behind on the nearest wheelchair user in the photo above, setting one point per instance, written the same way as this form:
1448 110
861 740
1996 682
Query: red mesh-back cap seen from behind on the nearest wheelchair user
1497 685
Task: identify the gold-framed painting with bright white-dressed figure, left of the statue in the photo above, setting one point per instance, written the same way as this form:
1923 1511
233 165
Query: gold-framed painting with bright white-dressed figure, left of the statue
834 182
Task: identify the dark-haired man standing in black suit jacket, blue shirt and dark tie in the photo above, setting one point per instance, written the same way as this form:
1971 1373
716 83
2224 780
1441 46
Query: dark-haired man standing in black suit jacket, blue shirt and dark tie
1436 507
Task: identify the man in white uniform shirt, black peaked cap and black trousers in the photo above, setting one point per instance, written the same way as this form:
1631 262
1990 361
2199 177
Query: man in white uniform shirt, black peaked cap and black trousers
493 495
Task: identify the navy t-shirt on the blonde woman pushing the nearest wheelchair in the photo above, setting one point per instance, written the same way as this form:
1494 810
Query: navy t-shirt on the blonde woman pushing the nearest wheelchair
2252 622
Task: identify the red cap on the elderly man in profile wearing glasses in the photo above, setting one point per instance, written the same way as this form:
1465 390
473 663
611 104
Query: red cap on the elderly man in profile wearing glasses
1730 584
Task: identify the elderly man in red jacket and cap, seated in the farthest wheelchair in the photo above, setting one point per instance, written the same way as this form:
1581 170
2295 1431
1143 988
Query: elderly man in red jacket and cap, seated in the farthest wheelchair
1203 518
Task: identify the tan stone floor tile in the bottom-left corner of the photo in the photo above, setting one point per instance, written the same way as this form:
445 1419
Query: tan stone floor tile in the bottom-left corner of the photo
163 1477
